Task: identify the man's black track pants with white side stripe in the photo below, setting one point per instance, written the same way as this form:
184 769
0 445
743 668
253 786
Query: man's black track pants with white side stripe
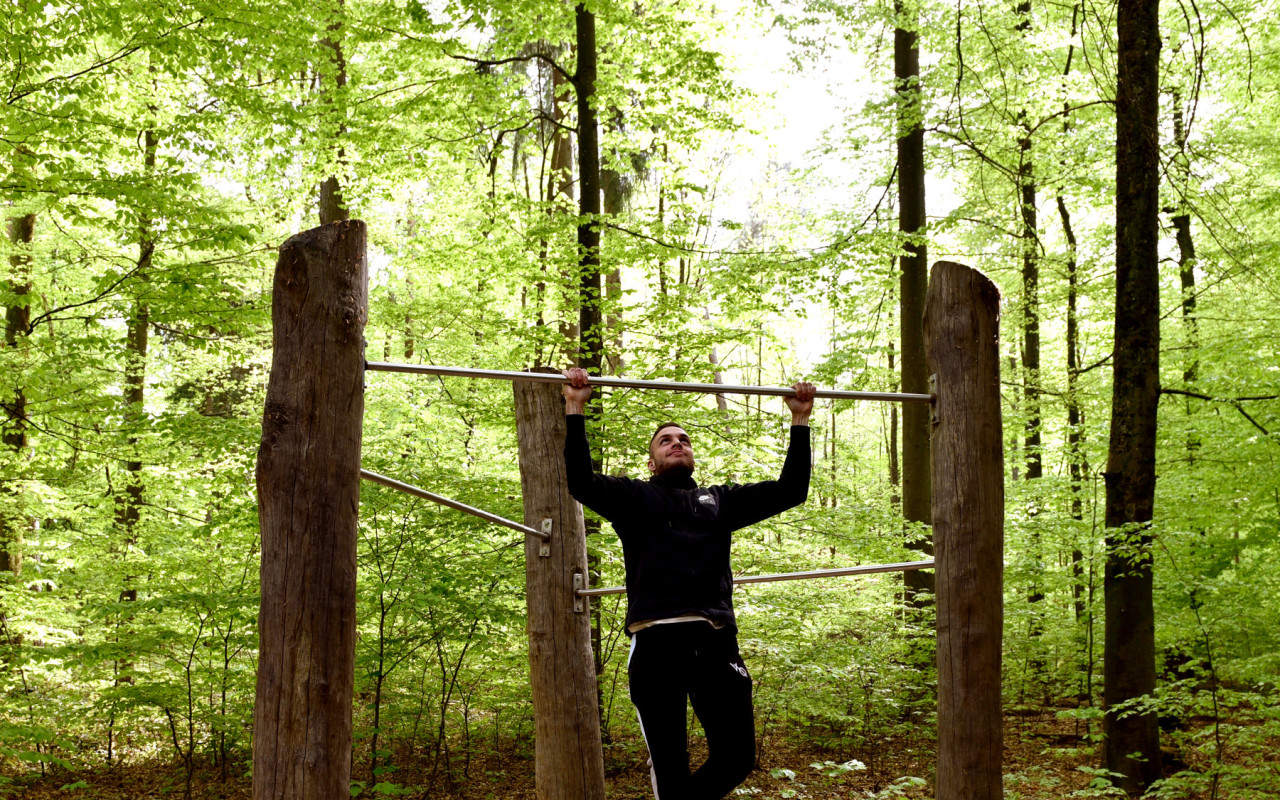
693 660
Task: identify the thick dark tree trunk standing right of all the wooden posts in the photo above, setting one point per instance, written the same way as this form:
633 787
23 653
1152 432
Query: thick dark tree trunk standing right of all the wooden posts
1130 650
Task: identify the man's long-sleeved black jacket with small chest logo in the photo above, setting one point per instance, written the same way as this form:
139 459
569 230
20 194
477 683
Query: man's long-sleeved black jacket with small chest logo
676 536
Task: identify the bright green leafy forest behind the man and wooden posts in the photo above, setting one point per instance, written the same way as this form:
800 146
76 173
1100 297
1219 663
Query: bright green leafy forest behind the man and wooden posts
157 154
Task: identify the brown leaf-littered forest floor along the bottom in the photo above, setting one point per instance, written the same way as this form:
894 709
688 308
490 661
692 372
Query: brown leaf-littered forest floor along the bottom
1043 761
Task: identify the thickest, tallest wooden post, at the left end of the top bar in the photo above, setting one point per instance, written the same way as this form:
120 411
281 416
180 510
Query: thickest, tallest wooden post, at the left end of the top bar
309 496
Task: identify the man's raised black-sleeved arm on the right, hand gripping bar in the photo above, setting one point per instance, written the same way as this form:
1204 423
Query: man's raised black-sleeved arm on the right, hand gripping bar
748 505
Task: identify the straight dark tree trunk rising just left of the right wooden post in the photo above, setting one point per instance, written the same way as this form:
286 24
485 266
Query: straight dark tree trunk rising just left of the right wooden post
913 275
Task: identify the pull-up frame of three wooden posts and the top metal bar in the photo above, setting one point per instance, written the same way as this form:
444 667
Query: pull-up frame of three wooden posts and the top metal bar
309 500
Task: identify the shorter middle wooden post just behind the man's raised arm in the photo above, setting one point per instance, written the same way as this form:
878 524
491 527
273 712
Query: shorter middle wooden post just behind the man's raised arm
570 765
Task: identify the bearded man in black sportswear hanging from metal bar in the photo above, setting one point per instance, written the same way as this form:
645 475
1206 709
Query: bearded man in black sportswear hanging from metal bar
680 610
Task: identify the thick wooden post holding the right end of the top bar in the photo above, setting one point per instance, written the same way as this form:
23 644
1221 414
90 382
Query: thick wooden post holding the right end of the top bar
962 332
